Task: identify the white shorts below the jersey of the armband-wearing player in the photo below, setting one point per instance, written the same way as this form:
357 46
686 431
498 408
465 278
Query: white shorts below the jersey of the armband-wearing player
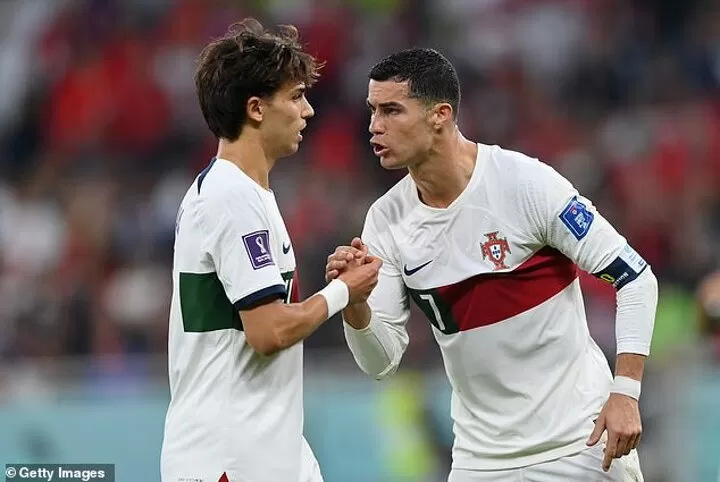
585 466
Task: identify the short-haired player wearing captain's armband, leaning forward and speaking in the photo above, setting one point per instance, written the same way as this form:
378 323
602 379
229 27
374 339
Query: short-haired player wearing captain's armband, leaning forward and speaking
488 243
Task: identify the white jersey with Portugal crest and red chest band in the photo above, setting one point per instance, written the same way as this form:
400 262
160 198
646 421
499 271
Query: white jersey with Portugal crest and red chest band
496 274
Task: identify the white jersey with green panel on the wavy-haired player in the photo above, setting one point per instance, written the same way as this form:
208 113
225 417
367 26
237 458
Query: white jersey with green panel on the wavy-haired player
232 410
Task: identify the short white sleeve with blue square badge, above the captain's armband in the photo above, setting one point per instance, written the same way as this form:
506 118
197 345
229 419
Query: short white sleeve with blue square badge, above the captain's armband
564 219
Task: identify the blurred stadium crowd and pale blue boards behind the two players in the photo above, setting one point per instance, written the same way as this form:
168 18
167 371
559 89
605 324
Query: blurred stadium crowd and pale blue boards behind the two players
100 136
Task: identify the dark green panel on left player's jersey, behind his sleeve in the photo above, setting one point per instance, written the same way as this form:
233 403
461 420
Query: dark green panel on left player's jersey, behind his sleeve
204 305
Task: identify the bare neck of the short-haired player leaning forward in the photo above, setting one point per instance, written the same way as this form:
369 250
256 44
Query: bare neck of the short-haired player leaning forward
446 171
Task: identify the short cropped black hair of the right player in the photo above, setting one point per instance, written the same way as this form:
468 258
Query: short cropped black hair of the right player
430 76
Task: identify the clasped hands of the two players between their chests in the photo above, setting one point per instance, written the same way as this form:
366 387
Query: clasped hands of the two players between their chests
355 267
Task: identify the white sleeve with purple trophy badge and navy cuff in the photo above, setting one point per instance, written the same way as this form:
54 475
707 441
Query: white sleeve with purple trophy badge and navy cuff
237 239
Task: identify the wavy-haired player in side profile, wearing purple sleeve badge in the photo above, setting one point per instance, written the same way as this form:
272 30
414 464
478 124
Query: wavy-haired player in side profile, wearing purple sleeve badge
236 325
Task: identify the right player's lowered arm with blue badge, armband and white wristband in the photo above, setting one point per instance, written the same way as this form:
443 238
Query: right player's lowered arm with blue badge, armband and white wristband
571 223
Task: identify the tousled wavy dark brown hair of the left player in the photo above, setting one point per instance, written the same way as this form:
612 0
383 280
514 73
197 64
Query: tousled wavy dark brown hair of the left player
248 61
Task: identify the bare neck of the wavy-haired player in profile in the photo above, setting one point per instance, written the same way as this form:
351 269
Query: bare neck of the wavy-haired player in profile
248 154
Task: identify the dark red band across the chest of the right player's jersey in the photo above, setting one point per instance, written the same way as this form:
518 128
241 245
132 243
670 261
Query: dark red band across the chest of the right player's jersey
489 298
